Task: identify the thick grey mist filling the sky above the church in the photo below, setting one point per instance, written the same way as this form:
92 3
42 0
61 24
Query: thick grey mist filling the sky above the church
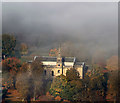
91 28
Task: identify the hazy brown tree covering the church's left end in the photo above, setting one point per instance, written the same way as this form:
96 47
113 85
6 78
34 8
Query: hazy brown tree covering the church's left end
30 76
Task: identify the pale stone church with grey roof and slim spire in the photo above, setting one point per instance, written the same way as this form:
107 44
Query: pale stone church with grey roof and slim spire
55 66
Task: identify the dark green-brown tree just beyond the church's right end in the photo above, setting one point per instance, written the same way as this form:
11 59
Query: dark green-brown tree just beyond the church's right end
97 85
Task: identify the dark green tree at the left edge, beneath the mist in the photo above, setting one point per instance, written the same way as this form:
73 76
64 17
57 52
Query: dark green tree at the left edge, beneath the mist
8 45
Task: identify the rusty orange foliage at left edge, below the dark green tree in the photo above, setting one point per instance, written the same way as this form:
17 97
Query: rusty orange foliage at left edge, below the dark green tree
11 66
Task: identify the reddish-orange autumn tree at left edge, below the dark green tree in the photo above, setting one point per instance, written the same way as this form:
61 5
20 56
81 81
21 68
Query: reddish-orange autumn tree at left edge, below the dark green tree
10 68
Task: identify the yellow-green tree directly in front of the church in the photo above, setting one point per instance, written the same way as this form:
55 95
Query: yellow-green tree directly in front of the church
66 86
